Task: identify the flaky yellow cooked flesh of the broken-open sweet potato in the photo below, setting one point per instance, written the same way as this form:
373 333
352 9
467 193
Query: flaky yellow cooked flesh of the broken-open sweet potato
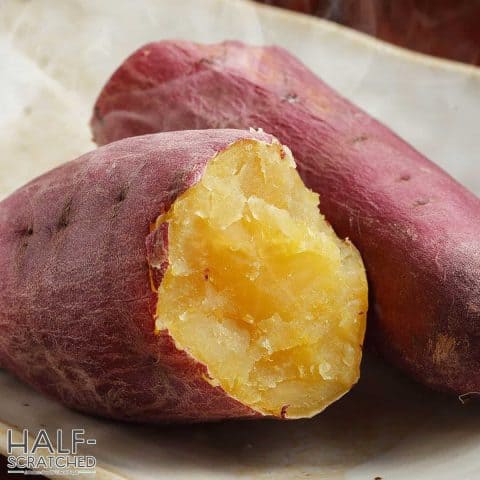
259 288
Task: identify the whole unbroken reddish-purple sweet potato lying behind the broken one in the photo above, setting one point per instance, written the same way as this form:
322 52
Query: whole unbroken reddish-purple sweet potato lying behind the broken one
417 229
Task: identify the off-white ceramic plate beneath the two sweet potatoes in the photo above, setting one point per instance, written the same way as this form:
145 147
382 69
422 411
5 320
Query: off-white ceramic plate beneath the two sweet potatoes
54 58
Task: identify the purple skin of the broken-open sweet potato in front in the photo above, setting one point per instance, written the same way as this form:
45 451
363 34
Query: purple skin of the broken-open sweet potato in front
76 301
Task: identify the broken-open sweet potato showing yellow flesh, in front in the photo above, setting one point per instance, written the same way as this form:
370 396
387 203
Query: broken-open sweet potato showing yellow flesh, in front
184 276
